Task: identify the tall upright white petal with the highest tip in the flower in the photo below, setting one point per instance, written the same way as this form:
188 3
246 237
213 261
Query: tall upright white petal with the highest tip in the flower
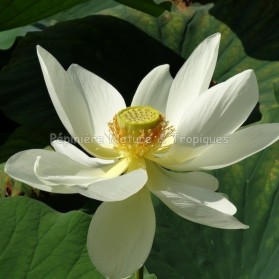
192 79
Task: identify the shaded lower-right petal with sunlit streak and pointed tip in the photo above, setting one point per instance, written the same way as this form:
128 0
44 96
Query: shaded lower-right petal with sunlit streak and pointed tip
198 204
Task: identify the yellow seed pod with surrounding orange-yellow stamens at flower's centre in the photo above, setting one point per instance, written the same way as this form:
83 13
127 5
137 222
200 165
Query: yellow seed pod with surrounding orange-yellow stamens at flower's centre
139 131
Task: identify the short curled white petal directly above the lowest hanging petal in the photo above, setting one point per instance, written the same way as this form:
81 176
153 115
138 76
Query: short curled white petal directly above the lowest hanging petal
115 189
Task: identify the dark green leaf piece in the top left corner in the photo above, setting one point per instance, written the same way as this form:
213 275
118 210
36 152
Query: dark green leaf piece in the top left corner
14 13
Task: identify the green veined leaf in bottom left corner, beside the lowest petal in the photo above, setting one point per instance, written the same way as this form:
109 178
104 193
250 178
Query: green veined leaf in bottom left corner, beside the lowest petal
38 242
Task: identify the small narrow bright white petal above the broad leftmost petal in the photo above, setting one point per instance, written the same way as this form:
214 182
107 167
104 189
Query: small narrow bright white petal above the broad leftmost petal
77 155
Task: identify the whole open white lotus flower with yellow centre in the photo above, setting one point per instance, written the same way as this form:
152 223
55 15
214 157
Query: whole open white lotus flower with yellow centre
145 148
